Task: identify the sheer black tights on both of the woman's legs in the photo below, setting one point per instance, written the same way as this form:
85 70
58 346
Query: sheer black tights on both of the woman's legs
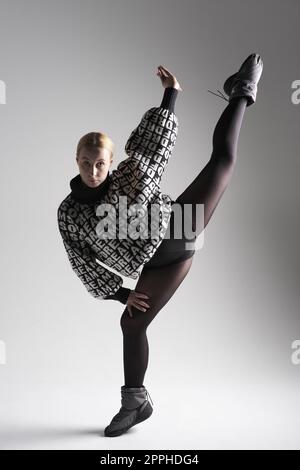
160 283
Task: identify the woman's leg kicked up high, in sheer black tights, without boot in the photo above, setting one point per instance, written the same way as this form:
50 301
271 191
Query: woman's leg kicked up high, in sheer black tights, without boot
209 185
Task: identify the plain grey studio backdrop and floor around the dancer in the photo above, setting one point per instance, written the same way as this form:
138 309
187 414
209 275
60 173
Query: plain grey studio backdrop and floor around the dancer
220 350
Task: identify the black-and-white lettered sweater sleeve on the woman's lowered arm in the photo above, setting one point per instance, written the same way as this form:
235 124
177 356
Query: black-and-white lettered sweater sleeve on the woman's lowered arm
98 280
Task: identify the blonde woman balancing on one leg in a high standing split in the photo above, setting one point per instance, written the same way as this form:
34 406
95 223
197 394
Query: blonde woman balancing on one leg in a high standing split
160 263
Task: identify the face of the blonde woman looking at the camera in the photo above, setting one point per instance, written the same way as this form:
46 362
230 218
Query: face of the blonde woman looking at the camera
94 165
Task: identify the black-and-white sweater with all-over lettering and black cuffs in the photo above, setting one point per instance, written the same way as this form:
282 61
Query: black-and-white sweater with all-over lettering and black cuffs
138 177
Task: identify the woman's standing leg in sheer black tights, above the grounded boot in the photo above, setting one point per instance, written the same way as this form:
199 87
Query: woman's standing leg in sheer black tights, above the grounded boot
159 284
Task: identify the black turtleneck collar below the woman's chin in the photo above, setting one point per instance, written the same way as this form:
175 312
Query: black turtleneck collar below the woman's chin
84 194
